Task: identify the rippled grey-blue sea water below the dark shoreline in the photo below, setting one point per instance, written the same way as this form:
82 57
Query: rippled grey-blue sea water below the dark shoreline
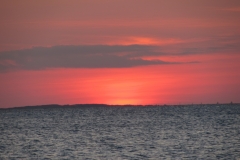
186 132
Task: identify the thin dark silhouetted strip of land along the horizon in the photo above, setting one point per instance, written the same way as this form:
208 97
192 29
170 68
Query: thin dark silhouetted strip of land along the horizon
127 105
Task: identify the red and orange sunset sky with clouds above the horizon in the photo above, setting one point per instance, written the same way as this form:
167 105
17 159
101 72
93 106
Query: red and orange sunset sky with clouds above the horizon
119 52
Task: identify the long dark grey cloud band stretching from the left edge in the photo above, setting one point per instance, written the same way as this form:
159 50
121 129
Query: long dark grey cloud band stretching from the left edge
83 56
